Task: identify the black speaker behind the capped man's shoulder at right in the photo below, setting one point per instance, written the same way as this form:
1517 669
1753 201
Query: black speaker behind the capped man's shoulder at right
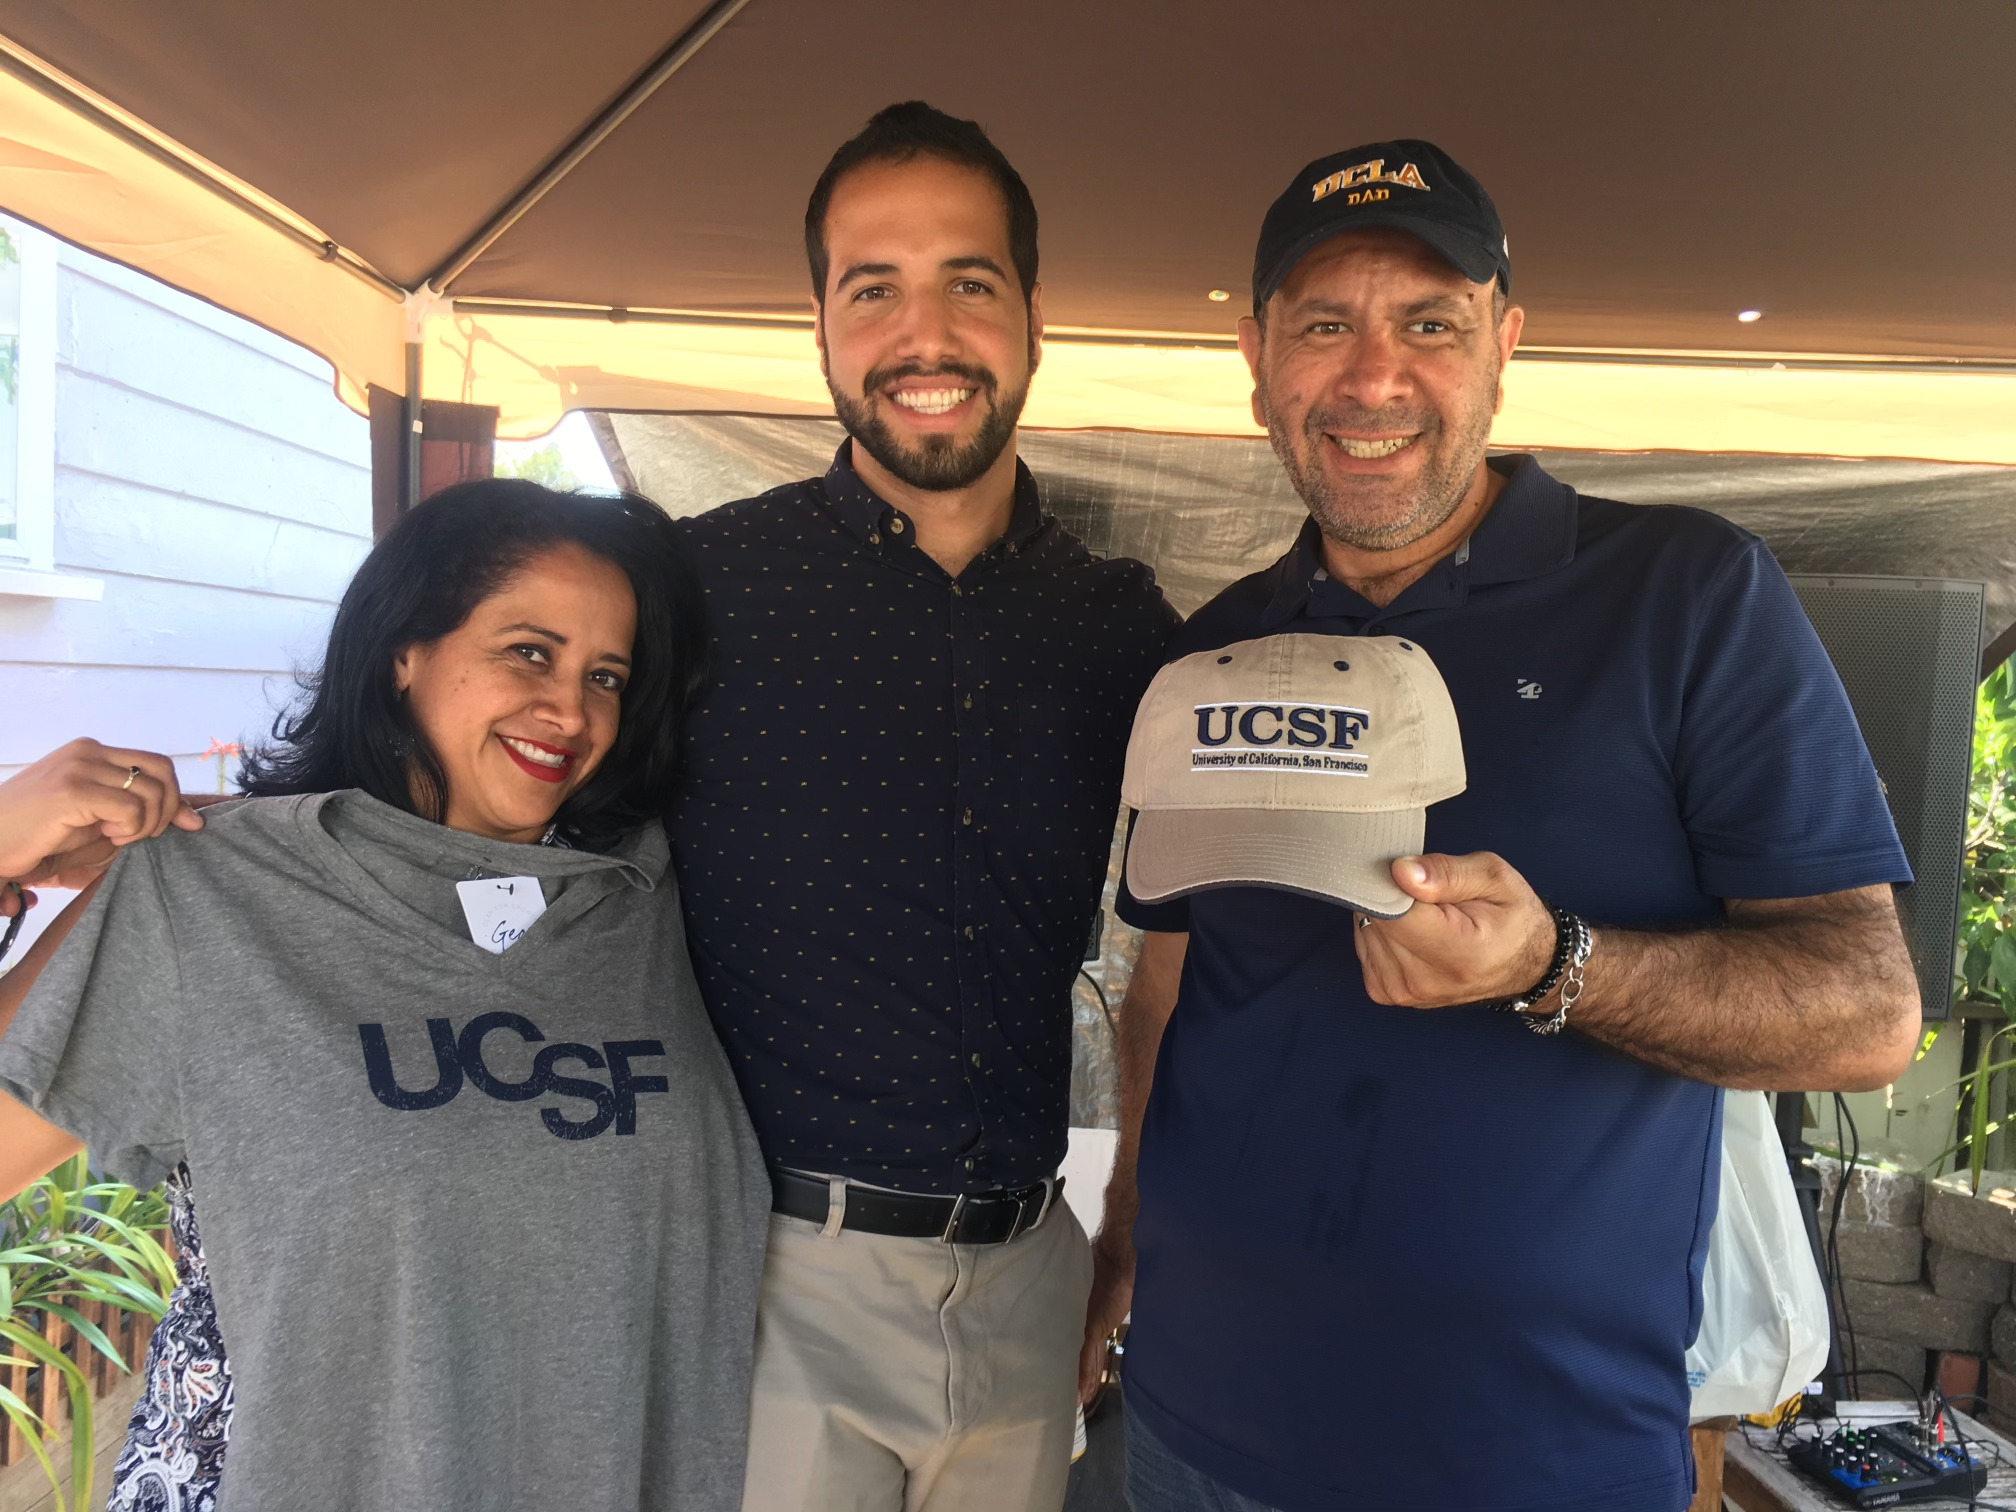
1910 654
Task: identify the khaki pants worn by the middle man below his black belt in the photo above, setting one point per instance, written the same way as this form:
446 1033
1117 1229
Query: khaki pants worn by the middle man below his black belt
908 1376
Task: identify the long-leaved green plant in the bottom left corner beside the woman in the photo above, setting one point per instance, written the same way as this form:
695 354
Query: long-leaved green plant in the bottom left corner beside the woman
68 1243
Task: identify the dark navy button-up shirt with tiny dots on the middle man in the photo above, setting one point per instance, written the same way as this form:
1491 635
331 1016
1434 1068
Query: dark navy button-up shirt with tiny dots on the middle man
896 824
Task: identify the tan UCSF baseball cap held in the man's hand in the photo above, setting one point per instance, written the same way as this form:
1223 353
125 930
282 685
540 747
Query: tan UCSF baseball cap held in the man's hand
1295 761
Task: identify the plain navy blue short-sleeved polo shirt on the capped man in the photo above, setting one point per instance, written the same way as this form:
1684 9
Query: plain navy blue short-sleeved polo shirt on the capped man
1398 1259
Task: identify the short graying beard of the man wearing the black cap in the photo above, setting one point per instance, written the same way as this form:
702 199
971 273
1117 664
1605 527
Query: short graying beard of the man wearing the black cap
1436 497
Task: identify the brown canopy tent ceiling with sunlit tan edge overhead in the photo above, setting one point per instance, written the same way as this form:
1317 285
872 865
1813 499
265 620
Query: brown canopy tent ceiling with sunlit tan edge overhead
1825 162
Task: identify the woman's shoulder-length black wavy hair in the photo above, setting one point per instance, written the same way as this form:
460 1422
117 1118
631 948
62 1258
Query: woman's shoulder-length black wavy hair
354 729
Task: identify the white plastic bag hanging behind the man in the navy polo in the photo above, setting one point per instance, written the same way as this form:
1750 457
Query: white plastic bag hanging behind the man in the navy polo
1763 1303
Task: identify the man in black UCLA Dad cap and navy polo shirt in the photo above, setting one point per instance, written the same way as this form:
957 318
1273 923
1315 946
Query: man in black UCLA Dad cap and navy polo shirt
1394 1249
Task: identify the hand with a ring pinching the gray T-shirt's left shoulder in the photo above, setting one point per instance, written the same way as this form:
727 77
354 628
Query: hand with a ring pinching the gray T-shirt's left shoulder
66 817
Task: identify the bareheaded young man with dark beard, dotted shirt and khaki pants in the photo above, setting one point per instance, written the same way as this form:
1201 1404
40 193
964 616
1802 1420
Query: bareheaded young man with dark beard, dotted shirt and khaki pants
892 842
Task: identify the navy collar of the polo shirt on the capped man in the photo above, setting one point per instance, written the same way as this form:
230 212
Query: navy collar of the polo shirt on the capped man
1529 531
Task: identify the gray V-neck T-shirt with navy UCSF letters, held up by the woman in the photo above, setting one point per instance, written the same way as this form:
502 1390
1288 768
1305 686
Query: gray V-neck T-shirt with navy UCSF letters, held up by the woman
485 1229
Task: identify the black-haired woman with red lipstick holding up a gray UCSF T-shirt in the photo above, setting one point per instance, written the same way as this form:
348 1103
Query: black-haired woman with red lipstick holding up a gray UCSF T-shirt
483 1211
